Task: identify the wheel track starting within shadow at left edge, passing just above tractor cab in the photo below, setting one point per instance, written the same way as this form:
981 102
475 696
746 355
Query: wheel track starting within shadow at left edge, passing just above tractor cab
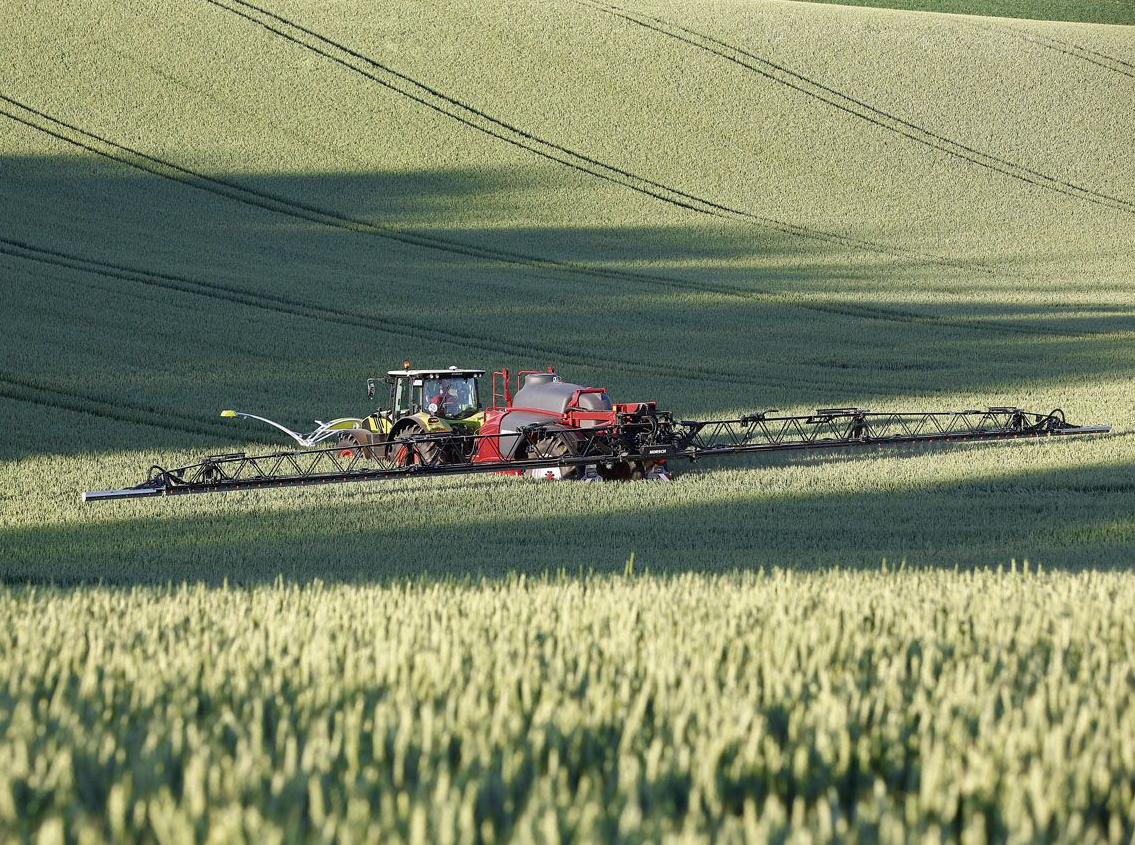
299 308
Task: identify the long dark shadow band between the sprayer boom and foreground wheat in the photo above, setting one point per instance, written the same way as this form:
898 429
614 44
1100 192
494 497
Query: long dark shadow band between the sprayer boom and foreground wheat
1061 520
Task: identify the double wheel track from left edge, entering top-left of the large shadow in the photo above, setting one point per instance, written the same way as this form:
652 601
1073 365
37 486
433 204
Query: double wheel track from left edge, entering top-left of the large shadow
238 193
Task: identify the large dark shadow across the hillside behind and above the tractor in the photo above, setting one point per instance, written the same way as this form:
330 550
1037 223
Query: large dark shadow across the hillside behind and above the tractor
146 307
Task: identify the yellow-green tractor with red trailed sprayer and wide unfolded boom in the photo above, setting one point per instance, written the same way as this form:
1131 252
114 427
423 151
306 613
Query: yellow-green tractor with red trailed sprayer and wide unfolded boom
435 423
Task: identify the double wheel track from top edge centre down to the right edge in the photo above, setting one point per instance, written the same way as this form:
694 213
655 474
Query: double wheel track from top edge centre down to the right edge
861 110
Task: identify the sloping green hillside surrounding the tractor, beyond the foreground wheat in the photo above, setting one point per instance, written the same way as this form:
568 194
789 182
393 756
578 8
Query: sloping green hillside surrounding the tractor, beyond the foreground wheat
722 208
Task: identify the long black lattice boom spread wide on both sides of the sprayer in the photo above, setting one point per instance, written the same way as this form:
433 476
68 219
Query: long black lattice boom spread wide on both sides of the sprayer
634 439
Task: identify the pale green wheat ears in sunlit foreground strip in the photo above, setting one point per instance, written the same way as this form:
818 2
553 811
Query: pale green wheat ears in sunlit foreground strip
887 707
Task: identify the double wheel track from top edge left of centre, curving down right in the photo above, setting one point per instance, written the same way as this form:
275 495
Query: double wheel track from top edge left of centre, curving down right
481 121
